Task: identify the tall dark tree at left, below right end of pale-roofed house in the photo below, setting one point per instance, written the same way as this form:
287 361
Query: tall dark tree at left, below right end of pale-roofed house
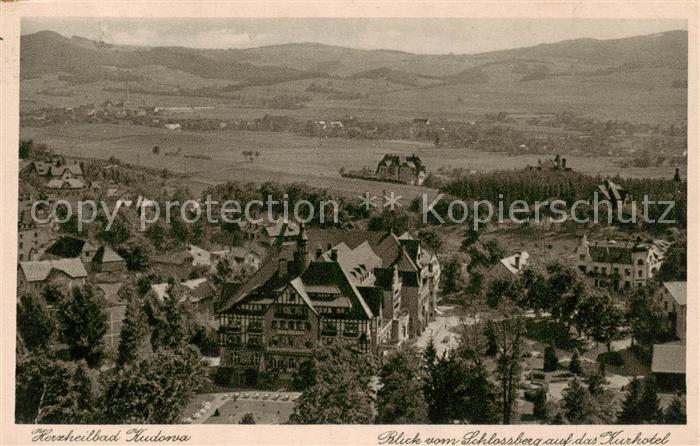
83 325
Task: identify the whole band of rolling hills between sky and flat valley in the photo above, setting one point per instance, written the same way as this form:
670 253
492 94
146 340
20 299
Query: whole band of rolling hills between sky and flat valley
636 78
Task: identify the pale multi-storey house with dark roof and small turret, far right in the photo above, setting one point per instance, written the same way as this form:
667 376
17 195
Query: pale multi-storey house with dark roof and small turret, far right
620 264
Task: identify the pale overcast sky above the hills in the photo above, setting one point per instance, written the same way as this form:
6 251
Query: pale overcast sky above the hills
426 36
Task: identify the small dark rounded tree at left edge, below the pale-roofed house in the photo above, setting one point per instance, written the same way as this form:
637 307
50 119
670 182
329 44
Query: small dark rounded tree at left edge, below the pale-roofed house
34 323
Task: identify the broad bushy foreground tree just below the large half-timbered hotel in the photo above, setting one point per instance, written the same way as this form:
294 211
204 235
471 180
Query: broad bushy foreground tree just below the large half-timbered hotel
343 393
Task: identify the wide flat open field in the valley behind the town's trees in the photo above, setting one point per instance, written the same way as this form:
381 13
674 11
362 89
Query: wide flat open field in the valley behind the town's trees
285 157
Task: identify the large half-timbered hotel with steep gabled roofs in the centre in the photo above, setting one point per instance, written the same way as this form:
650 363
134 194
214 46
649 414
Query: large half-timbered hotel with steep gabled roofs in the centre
372 288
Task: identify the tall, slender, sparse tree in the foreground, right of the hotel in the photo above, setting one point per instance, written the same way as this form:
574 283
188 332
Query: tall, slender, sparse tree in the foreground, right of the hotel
509 333
